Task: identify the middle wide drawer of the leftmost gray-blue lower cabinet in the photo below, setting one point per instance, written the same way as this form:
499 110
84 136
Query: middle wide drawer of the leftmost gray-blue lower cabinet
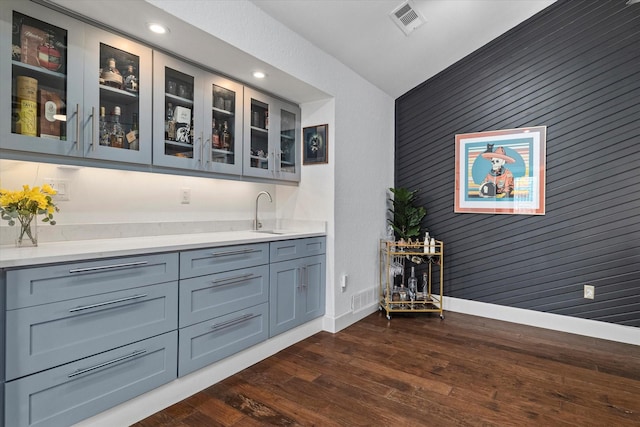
46 336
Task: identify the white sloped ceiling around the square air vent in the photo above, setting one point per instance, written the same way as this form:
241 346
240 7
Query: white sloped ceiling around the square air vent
361 34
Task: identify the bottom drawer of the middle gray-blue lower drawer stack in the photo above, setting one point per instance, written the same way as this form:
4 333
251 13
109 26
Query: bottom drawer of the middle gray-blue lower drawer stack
208 342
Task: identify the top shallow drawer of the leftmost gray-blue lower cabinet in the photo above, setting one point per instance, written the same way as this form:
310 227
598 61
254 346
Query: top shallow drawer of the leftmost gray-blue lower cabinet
40 285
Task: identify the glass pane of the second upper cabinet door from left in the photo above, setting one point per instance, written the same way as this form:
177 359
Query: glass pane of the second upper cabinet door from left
119 98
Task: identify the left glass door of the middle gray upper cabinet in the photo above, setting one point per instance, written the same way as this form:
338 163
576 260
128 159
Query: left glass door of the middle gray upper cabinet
178 114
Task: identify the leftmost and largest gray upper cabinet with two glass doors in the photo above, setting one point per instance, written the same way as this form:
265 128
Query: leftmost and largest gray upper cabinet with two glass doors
45 106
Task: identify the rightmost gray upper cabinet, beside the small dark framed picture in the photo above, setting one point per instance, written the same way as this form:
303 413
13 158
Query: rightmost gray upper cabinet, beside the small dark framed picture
271 137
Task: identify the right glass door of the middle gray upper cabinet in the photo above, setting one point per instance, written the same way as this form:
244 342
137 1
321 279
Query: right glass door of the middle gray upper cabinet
226 126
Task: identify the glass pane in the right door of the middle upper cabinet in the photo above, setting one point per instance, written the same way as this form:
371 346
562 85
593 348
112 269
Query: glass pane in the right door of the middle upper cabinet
223 131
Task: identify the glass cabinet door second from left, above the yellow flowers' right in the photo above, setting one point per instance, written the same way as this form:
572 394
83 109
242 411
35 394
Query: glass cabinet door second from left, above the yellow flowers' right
117 99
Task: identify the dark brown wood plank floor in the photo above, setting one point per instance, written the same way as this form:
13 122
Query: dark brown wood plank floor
421 371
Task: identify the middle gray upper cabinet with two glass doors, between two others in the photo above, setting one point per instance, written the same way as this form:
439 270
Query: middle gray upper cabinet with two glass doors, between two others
197 118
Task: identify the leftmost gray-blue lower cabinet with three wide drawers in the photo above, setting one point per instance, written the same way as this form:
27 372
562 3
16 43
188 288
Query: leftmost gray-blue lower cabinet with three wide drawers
83 337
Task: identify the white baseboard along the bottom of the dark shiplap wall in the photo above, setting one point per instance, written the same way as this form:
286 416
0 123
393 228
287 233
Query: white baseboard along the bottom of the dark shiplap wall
556 322
